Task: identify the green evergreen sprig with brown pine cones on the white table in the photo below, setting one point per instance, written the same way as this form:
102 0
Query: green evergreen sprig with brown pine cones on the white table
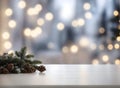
19 62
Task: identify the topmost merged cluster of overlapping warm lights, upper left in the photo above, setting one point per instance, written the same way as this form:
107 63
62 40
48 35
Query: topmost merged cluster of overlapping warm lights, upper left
34 11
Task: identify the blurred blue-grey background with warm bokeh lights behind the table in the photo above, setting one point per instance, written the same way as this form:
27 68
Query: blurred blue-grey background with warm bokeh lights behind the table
62 31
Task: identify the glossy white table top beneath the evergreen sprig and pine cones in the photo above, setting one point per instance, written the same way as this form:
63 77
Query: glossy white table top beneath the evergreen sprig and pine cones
65 75
